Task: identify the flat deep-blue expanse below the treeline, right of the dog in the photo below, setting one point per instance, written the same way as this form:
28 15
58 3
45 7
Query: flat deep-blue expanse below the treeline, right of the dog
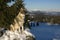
46 32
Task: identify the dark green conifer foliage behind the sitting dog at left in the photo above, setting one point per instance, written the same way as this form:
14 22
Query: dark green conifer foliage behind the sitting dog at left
7 14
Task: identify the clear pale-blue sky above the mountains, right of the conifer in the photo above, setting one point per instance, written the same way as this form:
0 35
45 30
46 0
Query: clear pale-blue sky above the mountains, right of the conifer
42 5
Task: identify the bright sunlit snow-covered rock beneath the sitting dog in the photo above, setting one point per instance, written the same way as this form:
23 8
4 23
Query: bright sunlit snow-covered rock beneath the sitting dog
9 35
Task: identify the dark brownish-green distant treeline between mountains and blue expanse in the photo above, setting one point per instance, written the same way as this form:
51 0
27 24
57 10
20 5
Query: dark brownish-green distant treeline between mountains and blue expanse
45 18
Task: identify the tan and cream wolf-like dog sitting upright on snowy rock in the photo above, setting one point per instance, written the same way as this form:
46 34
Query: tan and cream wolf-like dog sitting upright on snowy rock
18 22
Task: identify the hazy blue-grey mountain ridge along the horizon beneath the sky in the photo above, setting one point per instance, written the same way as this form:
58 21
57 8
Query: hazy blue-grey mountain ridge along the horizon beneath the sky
45 13
